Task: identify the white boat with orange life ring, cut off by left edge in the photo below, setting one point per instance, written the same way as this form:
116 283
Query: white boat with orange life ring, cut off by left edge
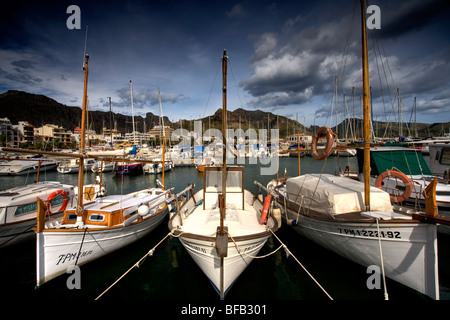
18 208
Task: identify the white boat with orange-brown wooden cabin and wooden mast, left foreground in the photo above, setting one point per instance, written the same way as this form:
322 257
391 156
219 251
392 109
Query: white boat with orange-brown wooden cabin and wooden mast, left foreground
95 228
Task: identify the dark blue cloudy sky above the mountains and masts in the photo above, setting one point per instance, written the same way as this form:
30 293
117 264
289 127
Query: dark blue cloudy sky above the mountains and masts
285 56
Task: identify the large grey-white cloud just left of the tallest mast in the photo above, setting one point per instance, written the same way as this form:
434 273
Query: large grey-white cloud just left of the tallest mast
292 67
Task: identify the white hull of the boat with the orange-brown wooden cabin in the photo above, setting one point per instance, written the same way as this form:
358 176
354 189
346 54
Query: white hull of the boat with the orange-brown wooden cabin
59 249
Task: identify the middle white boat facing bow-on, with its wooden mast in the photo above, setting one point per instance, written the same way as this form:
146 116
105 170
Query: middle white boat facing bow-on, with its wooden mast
222 226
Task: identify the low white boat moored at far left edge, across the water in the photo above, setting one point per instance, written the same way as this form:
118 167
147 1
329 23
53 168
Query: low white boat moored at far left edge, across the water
27 166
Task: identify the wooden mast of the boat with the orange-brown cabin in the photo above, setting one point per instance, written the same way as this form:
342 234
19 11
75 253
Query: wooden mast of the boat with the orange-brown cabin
80 208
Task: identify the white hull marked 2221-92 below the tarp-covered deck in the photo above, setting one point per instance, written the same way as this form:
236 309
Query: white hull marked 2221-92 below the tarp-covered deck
408 248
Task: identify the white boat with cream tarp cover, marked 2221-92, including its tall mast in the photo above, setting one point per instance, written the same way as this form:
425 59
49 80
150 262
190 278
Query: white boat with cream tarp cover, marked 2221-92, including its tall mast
358 221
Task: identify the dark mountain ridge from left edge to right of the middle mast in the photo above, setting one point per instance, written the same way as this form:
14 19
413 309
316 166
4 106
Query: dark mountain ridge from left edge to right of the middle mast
39 110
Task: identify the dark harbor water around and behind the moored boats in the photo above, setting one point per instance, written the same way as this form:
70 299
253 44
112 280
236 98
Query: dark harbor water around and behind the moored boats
171 274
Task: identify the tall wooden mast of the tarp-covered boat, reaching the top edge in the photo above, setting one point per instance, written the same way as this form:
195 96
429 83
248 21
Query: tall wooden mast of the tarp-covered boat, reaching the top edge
366 107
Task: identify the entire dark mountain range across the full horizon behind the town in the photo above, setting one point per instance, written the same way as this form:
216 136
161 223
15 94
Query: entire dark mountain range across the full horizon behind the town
39 110
